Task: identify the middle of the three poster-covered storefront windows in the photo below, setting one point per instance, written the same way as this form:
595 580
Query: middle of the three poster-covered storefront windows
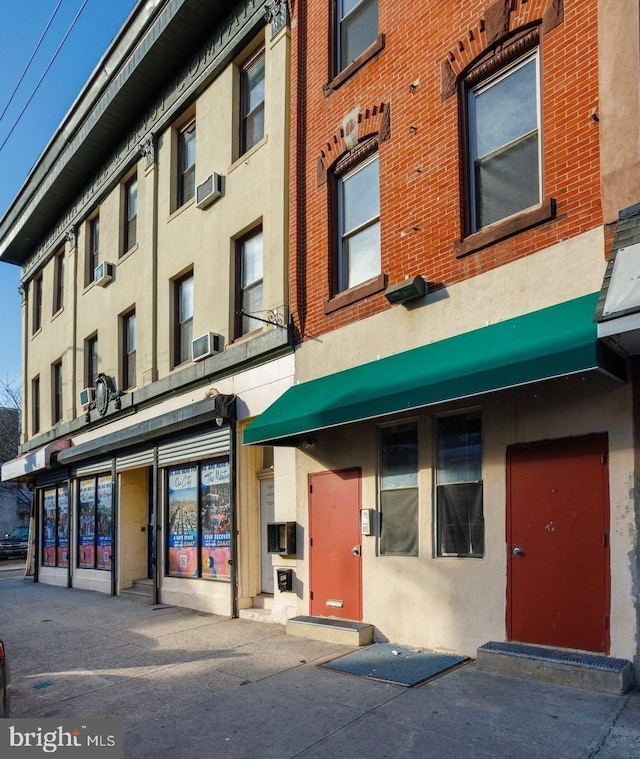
95 530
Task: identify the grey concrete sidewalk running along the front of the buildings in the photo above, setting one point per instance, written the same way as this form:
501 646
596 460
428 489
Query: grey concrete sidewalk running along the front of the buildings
189 684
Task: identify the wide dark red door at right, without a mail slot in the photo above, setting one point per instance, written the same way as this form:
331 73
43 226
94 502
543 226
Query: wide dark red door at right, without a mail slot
557 543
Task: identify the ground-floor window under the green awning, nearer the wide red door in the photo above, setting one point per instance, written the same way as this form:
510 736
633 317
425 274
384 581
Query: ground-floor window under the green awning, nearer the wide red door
459 502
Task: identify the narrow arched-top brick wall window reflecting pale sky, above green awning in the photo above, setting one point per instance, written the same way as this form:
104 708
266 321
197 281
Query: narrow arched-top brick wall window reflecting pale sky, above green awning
358 196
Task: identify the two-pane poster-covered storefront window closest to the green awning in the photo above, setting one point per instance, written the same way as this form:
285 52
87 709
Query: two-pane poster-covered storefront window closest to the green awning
199 504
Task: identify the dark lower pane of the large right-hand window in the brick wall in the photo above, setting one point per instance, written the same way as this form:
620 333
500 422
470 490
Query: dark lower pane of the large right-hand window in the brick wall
507 181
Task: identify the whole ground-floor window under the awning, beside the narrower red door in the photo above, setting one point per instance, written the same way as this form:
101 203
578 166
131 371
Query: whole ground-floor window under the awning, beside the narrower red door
398 489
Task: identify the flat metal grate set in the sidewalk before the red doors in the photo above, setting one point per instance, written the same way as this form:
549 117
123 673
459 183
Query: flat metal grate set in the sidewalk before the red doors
394 664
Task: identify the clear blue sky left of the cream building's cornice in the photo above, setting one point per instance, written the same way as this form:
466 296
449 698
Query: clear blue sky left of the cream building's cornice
21 26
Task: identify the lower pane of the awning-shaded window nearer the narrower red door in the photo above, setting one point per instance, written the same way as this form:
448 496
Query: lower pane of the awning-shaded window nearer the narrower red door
399 523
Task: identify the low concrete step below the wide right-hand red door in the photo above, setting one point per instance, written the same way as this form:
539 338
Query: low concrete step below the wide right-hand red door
580 670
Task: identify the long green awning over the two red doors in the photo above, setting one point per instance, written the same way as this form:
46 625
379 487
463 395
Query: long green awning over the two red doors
553 342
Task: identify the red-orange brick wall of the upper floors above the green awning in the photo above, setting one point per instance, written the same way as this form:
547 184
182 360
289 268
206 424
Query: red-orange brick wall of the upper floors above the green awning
420 165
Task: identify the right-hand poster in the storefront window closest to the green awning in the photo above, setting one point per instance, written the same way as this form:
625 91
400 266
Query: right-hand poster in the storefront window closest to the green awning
215 520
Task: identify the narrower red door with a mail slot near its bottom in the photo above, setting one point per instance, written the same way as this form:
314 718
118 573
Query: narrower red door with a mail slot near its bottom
335 571
